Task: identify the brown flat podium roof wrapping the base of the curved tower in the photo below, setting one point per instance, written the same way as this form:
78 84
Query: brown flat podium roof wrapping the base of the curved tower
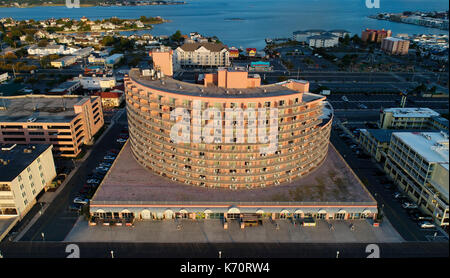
129 182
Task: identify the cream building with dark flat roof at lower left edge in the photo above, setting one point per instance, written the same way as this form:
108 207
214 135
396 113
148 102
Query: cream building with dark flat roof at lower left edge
25 170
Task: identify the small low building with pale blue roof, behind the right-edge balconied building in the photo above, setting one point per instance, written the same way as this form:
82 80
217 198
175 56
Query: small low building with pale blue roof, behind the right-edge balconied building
412 118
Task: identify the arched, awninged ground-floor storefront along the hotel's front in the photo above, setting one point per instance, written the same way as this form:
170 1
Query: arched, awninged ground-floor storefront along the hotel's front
133 213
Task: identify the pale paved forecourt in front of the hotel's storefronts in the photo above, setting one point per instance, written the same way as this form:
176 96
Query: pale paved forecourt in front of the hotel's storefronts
211 230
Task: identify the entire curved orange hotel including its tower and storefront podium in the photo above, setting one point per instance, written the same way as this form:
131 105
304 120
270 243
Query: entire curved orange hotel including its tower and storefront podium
228 148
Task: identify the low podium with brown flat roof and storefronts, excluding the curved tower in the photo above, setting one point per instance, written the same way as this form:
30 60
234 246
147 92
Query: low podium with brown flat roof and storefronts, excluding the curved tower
130 191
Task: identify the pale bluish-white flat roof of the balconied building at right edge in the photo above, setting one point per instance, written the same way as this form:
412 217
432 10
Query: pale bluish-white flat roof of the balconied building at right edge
432 146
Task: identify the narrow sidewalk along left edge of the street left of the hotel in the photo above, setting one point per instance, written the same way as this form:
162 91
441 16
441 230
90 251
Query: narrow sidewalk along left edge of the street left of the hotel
48 197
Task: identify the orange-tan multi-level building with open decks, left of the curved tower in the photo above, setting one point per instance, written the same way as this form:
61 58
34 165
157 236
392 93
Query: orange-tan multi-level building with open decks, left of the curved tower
67 122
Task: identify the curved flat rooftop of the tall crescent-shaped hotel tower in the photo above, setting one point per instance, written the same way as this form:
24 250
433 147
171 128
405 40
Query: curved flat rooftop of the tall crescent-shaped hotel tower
169 84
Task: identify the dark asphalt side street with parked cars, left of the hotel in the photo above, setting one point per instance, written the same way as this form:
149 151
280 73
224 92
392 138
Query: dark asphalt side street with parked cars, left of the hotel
57 221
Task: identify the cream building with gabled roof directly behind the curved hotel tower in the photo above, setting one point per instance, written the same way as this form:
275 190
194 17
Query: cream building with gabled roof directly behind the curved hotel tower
202 54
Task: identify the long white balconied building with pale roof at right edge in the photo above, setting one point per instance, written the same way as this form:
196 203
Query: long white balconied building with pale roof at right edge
418 162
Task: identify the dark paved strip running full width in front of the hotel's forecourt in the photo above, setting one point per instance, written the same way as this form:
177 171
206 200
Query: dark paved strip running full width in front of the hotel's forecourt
228 250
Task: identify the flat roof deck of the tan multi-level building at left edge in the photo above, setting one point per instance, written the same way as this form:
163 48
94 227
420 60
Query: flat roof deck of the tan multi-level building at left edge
41 107
